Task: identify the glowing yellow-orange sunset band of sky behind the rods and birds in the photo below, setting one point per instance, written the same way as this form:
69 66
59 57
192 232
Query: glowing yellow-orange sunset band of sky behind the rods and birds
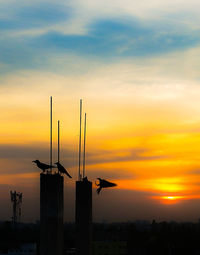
142 144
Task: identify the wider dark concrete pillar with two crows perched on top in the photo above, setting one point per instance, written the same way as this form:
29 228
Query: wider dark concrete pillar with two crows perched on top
51 214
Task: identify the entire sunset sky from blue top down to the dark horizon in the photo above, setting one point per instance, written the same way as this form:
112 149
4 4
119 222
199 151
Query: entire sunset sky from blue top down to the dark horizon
136 66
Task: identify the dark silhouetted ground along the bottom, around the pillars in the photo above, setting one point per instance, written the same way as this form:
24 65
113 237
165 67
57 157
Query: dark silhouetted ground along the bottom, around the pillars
132 238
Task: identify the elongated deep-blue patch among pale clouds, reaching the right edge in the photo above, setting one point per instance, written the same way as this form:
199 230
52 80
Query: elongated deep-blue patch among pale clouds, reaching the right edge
110 39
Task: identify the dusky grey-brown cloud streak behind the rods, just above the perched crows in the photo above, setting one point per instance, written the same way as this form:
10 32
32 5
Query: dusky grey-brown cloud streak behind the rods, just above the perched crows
24 154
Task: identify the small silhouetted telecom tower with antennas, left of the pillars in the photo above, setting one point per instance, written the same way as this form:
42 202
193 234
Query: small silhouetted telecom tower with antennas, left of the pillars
16 200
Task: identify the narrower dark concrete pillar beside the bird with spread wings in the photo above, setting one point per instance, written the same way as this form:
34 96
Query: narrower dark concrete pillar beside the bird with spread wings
84 217
